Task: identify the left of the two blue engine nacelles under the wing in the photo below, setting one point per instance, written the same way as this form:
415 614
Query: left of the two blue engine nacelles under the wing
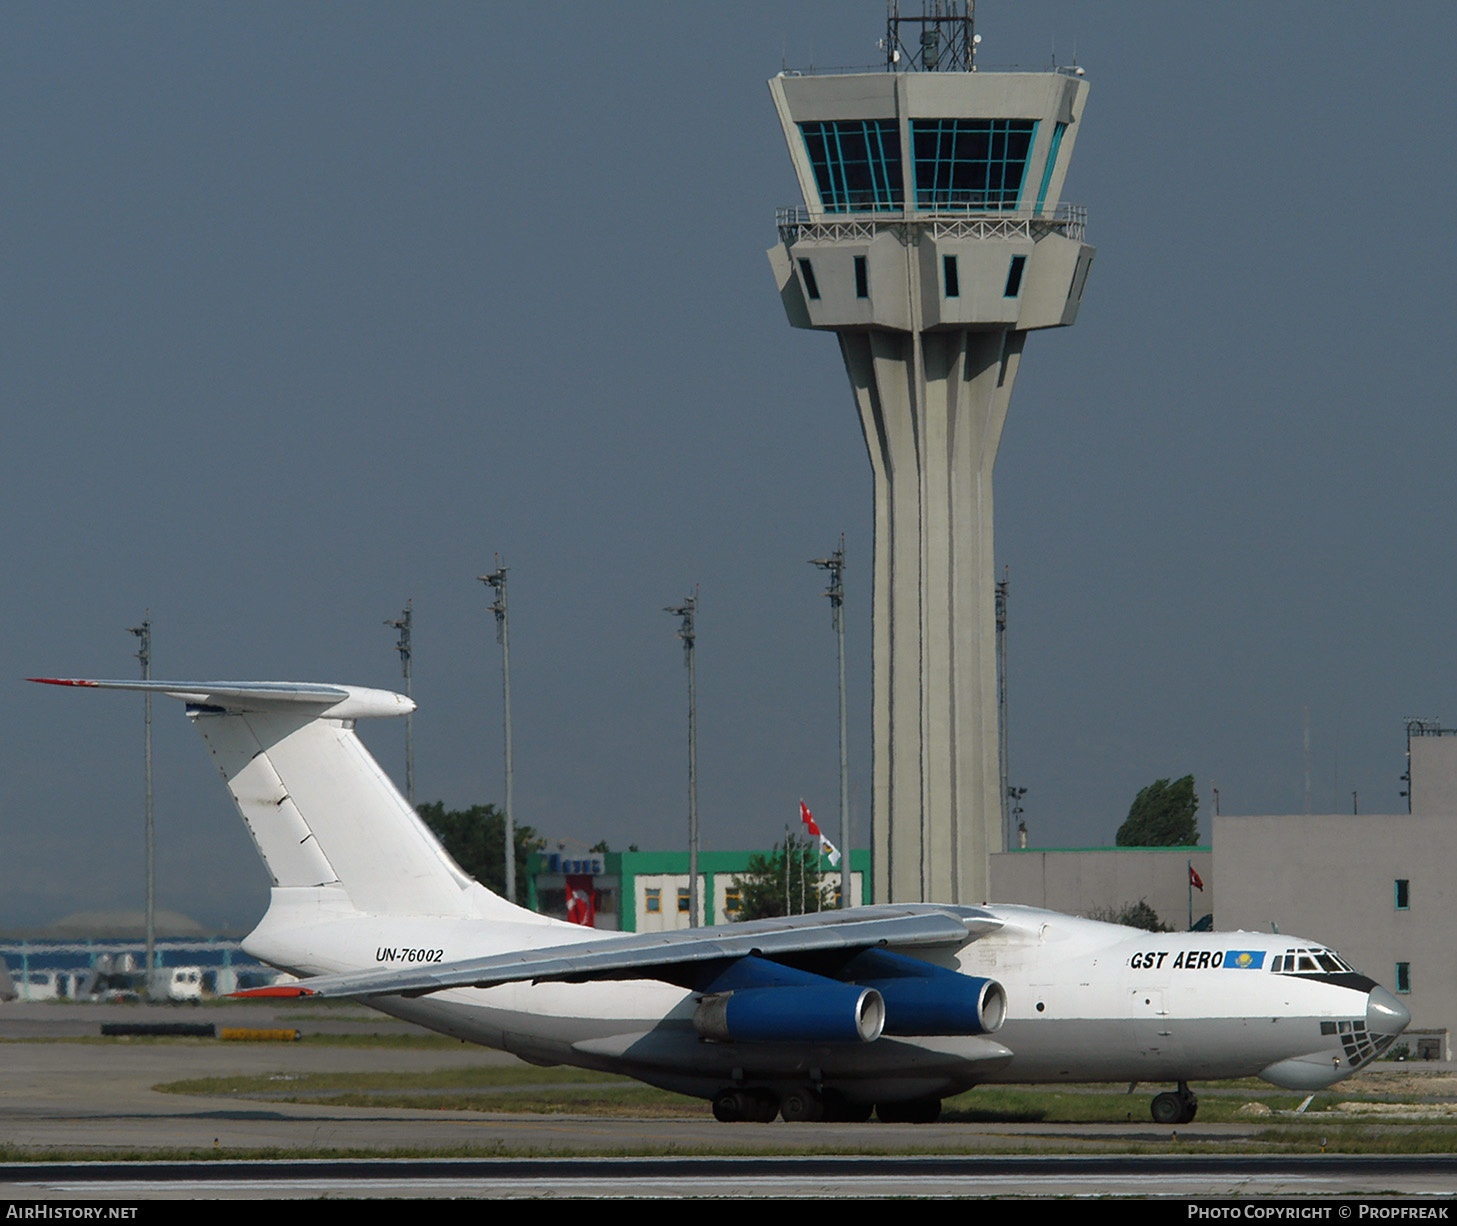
825 1012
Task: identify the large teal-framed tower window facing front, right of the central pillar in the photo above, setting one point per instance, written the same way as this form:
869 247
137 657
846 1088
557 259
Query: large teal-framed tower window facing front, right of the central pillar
971 164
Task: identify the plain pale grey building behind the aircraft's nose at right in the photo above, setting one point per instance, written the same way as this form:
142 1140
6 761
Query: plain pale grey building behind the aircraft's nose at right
1375 887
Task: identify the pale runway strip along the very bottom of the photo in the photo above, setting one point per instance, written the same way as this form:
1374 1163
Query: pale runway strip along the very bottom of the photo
1124 1177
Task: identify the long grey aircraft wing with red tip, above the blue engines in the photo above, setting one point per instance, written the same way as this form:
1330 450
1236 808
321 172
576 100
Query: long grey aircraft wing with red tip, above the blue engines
668 956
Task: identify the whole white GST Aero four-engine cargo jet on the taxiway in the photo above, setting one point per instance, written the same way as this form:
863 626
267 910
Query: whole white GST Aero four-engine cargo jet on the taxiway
827 1017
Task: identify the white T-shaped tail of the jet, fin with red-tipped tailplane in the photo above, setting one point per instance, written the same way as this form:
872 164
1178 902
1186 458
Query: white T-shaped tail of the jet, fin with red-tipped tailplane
321 811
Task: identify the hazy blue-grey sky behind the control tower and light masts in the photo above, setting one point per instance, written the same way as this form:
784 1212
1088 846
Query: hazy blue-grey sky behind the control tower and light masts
314 308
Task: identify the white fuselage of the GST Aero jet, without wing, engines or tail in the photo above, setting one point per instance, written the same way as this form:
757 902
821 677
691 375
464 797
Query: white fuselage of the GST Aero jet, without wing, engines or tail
1086 1002
